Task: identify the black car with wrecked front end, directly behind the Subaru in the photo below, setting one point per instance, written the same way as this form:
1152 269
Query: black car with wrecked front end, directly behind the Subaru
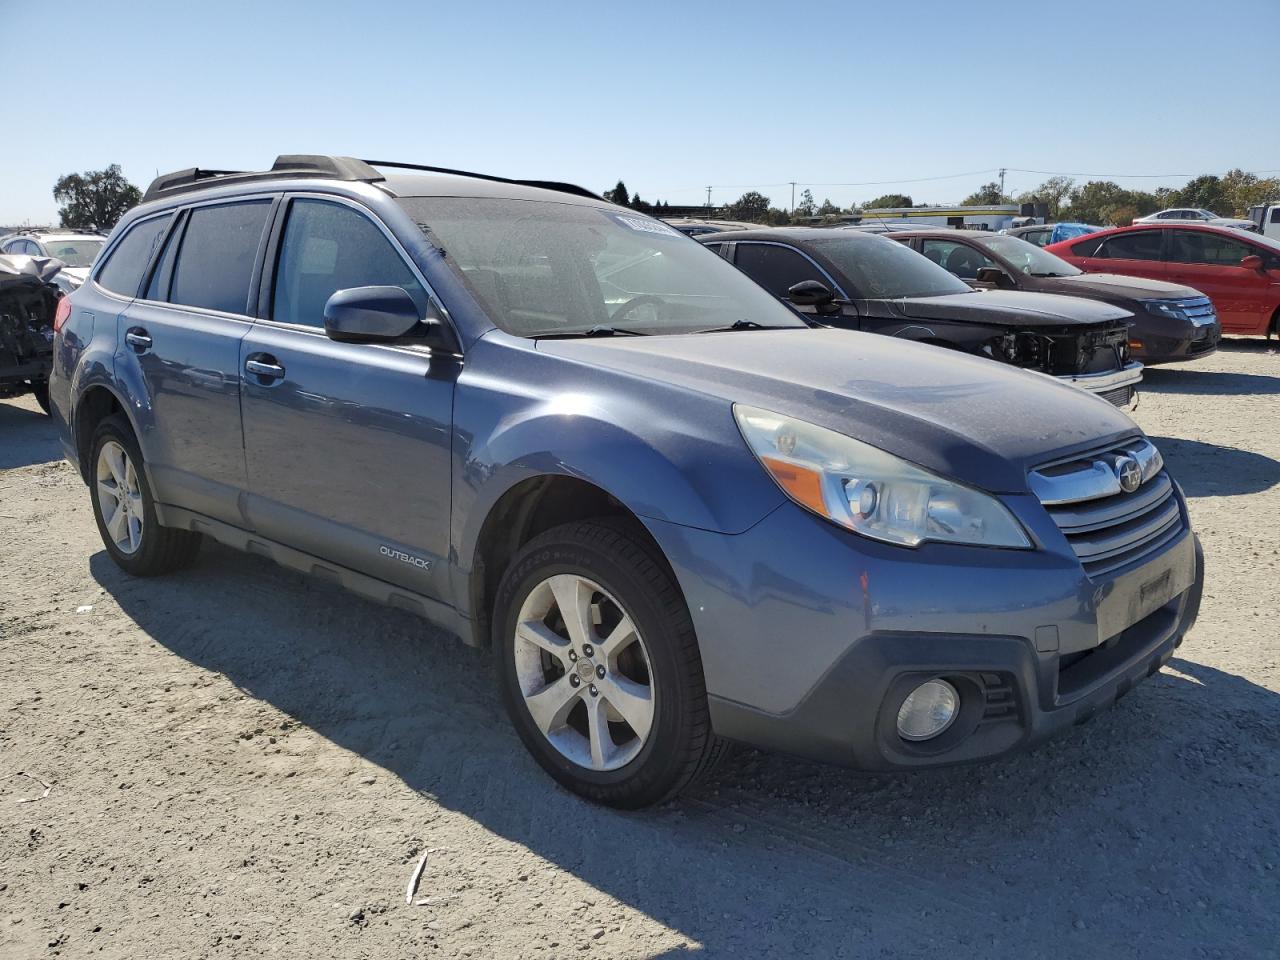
865 282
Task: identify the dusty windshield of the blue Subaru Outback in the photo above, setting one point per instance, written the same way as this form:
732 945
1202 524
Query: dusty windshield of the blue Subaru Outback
546 269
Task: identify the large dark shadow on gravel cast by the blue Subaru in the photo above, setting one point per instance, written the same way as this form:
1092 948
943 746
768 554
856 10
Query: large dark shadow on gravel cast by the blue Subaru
1149 833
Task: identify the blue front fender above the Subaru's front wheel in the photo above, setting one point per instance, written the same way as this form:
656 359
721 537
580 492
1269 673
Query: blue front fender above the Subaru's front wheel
680 460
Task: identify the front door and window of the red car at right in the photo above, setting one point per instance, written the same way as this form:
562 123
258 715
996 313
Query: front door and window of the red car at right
1212 263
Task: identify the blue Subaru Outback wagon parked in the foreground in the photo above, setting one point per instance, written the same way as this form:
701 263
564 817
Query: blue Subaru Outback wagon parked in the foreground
559 428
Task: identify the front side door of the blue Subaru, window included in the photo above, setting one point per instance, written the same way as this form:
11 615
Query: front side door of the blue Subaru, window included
349 445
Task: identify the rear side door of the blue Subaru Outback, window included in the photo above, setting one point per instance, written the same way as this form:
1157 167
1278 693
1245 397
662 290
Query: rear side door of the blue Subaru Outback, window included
181 339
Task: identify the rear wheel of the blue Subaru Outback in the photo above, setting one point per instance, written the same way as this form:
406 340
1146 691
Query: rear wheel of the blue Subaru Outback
156 550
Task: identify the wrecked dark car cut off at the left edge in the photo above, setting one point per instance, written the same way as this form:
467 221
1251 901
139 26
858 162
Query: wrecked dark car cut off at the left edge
29 304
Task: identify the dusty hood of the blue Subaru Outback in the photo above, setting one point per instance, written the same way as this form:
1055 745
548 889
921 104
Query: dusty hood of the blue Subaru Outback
971 419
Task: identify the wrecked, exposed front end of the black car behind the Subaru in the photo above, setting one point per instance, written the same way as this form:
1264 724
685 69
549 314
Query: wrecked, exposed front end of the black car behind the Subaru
1094 358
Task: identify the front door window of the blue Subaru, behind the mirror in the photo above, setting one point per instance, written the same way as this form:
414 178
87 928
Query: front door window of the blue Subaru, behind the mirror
330 248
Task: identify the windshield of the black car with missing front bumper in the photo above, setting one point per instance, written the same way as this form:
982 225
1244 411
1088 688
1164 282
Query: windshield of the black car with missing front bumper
884 269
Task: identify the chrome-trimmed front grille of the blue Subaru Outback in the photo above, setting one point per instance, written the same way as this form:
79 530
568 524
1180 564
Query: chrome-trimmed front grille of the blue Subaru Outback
1108 528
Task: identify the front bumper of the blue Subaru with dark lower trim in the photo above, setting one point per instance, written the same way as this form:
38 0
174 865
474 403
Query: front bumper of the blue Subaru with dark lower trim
811 648
